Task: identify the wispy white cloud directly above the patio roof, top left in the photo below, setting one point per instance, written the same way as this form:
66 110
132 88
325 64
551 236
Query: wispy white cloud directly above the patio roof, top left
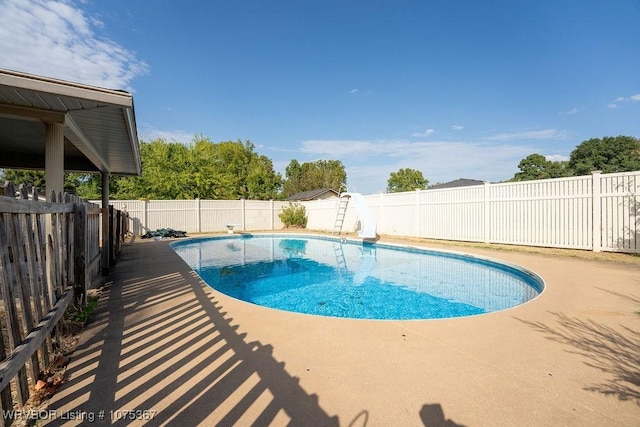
57 39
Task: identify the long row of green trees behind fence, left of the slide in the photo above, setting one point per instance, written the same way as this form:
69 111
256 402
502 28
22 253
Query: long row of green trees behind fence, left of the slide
228 170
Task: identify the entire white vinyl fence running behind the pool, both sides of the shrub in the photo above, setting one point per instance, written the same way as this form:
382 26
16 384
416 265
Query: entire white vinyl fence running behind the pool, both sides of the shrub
595 212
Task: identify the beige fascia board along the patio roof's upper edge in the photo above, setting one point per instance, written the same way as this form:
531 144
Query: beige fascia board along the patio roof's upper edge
63 88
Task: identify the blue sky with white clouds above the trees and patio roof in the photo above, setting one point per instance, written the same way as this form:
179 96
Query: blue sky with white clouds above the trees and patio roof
453 88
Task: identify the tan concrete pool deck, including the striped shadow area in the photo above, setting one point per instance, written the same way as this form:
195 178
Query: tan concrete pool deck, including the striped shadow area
165 344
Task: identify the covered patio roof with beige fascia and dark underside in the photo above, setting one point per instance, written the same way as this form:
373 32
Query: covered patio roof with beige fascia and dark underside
100 132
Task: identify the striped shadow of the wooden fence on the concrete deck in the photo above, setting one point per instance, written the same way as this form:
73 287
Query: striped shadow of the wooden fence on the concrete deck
161 343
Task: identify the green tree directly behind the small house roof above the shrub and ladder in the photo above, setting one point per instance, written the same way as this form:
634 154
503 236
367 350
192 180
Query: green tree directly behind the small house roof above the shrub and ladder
314 175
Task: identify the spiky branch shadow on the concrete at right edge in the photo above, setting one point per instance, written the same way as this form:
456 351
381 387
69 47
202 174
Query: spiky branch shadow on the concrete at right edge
615 352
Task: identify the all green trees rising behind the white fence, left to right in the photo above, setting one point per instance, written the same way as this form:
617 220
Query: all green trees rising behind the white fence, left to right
232 170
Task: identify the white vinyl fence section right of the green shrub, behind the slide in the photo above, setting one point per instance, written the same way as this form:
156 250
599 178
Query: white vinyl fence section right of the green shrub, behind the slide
596 212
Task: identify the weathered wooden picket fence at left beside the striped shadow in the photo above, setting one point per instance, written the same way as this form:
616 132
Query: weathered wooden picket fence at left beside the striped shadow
50 253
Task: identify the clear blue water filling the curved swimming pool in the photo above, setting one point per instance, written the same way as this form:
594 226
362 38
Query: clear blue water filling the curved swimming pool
329 277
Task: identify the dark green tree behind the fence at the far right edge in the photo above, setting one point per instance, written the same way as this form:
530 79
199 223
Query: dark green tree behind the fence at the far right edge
609 154
